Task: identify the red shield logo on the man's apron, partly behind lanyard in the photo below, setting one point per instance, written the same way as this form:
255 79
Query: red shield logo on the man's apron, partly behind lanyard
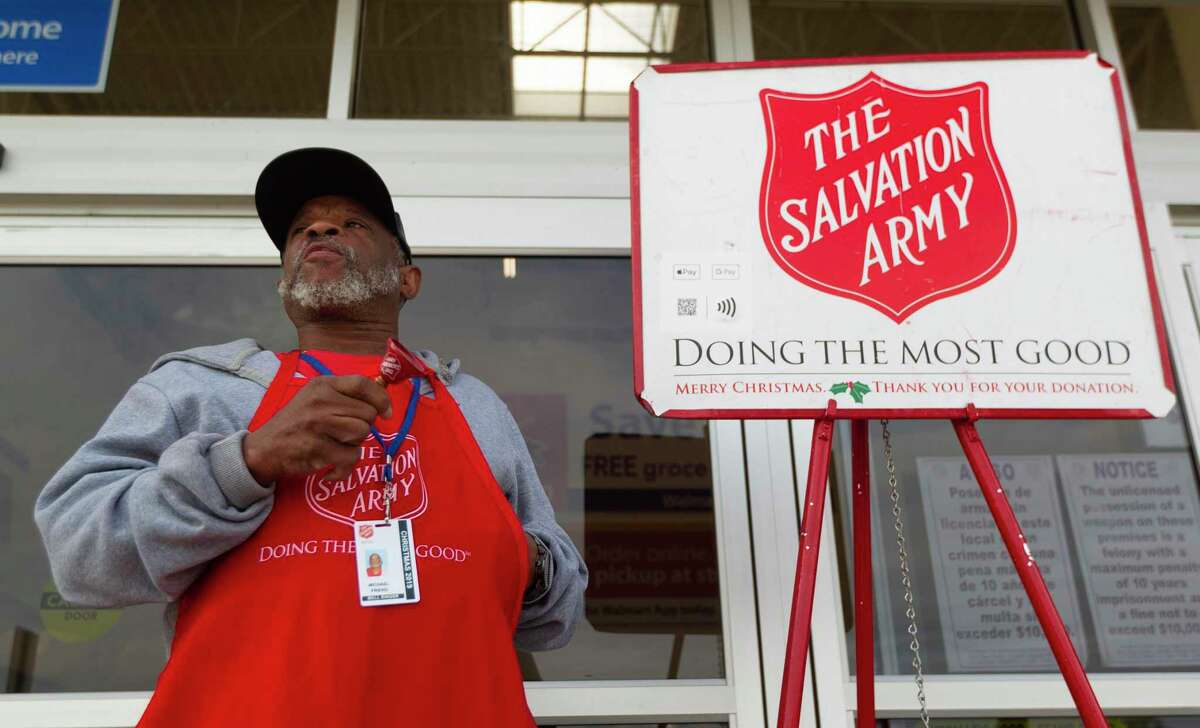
361 497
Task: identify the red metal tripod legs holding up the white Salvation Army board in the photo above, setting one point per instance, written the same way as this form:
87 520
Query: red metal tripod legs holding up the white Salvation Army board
800 629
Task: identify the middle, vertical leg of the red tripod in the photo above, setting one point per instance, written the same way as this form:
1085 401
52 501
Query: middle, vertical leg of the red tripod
865 599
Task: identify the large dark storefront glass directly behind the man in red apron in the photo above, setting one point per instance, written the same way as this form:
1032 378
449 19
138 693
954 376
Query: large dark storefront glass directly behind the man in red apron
633 492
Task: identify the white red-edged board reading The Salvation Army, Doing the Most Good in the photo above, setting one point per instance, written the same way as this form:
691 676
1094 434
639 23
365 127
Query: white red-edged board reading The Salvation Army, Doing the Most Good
907 237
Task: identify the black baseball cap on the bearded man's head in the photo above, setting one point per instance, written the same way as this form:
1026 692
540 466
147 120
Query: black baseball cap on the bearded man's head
297 177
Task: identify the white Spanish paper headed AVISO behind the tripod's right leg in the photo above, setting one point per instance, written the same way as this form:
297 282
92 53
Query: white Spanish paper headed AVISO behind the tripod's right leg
988 624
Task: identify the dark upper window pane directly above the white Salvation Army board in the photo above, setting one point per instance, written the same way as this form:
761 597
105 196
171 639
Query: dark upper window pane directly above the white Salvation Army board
827 29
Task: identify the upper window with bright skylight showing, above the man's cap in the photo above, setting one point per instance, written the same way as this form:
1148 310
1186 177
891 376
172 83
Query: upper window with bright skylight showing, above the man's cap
497 59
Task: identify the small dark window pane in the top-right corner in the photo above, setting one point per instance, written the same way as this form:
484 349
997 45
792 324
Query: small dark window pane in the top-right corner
1161 51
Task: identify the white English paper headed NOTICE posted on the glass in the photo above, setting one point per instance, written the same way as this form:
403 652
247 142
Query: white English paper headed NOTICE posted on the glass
1138 538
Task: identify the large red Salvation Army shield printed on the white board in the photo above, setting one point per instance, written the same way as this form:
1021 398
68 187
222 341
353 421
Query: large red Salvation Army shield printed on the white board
885 195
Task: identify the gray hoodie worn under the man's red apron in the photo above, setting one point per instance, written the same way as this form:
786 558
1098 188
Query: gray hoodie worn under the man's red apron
139 513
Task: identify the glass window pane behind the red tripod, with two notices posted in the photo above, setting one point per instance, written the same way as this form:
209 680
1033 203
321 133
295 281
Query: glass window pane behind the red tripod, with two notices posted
1112 514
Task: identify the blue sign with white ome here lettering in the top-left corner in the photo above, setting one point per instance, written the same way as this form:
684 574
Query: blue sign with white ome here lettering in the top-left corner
56 45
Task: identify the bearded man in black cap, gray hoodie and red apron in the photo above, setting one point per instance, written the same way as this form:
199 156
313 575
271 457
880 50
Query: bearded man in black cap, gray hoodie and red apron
243 488
